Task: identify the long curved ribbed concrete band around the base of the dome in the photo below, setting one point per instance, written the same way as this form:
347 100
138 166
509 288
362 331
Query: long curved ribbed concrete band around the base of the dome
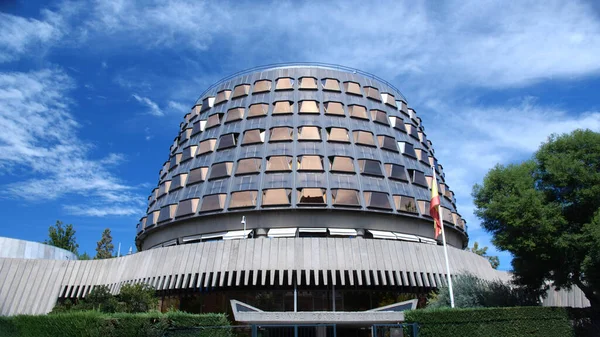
32 286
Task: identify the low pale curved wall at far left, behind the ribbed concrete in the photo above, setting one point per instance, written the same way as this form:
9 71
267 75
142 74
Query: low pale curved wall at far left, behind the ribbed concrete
21 249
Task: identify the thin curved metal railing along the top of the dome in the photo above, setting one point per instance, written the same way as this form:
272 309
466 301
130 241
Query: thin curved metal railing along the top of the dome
301 64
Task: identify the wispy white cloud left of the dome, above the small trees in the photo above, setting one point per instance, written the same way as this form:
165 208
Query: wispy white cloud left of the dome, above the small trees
39 145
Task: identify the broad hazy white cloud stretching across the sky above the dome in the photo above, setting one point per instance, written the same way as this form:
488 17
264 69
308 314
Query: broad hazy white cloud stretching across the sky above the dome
490 44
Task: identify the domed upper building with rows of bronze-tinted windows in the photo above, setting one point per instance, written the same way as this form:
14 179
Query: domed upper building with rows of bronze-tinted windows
299 151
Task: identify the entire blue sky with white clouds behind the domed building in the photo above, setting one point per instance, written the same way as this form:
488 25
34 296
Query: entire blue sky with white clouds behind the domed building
92 94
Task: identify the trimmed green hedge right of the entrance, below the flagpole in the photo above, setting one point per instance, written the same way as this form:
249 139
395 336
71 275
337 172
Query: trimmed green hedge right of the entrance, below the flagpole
500 322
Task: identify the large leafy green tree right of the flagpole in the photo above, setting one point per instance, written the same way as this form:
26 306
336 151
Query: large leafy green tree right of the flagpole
546 212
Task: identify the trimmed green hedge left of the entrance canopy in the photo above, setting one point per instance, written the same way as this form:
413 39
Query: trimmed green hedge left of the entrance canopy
96 324
